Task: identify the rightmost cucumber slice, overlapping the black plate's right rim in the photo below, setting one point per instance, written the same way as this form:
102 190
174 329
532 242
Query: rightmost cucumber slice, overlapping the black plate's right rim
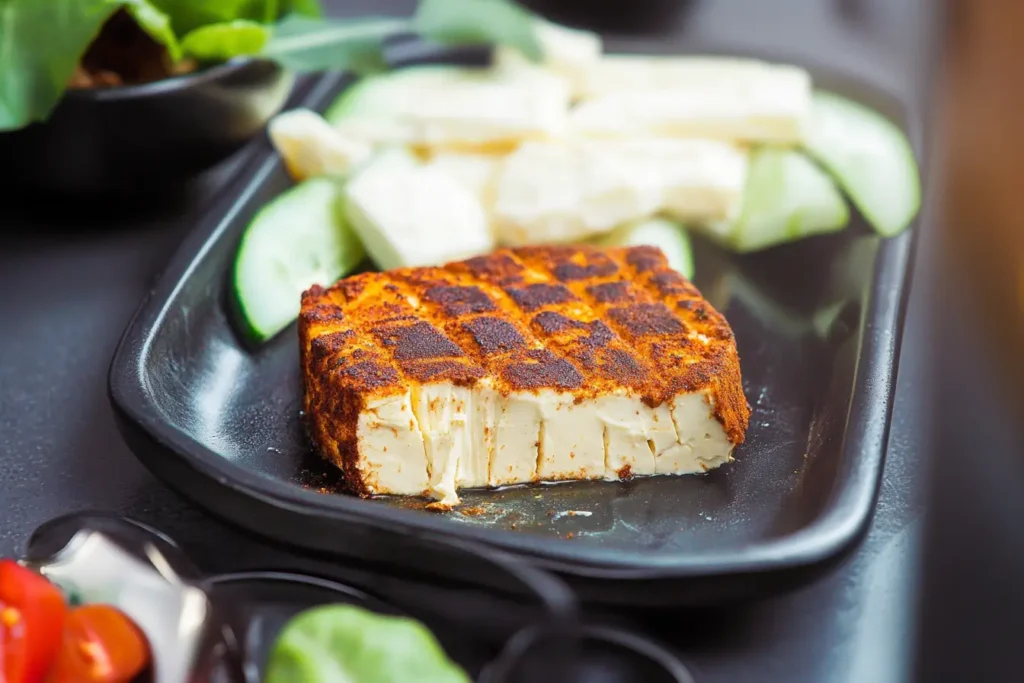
871 159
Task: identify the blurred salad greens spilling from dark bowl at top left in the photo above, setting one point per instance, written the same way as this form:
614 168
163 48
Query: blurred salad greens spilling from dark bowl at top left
45 40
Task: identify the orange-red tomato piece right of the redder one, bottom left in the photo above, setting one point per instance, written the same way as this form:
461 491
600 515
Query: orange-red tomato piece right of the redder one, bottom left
101 646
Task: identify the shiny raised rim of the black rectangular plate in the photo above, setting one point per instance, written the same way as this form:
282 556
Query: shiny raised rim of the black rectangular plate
834 530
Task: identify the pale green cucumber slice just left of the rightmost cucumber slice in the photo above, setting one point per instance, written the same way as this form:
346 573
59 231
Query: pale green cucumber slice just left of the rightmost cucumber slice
787 198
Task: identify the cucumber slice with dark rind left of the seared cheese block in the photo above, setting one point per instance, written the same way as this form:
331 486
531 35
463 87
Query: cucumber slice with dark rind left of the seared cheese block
298 240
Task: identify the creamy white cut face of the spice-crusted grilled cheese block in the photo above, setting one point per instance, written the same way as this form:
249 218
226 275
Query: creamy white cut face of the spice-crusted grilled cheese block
442 438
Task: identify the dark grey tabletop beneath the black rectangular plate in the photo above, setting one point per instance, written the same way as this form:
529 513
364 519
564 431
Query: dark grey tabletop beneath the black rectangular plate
69 285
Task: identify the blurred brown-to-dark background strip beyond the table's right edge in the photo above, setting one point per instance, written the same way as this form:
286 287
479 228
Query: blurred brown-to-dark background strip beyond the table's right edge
972 617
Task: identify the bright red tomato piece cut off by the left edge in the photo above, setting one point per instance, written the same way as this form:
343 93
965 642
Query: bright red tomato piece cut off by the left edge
32 617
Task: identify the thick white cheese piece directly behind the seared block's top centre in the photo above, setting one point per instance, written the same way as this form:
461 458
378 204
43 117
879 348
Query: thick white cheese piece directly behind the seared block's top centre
575 190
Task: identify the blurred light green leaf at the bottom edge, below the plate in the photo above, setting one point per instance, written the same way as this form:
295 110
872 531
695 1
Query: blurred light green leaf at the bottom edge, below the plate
346 645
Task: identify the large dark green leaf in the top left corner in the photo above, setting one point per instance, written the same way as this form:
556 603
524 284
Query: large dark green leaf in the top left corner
41 42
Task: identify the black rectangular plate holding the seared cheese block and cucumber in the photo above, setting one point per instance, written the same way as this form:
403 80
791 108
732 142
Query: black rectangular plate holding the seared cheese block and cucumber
819 328
